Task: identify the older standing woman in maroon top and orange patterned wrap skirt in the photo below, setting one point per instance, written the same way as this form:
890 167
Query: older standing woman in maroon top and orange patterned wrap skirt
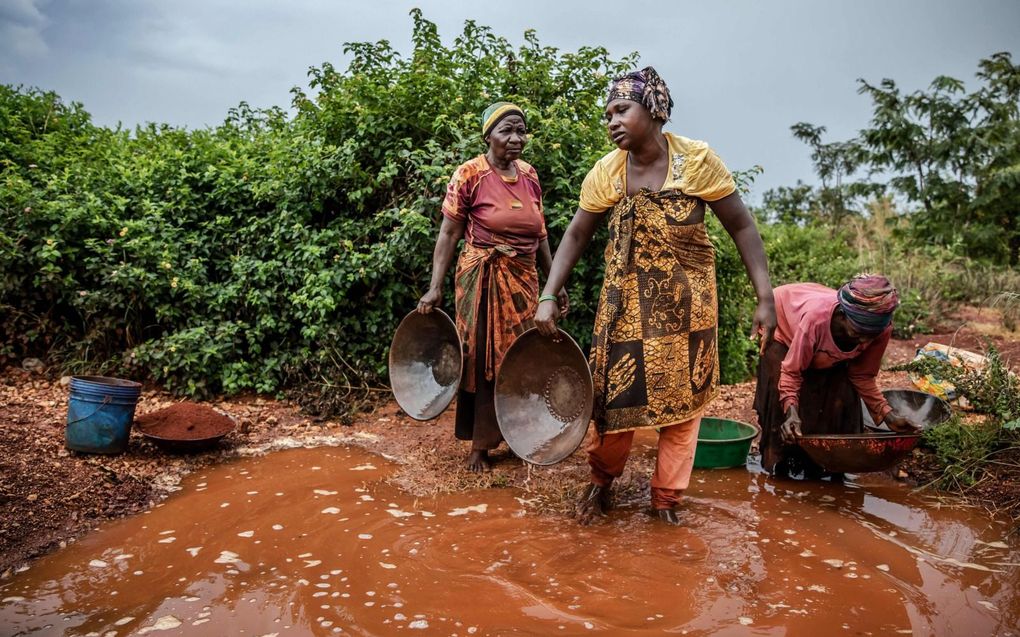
494 201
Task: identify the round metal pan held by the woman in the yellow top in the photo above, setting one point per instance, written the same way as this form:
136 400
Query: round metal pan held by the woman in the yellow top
544 397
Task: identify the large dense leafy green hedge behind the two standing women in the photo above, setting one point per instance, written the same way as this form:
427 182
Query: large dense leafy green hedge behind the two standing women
276 249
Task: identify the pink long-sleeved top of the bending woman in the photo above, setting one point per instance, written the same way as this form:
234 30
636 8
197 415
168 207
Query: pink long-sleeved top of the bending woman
804 312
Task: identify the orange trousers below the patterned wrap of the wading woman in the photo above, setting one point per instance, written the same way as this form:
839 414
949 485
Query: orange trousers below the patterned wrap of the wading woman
675 461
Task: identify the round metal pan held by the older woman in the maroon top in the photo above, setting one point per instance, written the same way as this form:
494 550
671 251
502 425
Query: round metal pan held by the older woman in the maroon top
426 363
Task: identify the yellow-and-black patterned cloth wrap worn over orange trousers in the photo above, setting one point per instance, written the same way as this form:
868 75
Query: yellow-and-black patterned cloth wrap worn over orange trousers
654 346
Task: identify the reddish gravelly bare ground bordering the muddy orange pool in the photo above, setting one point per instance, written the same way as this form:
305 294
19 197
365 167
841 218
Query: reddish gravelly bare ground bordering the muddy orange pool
49 496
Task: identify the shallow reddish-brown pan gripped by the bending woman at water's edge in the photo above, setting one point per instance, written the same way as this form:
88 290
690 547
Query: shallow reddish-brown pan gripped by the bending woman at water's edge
860 453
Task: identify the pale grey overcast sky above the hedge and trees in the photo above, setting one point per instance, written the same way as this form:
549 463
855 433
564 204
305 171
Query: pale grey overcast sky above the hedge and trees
741 72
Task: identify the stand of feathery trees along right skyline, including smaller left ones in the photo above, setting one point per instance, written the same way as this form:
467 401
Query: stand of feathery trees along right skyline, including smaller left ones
954 155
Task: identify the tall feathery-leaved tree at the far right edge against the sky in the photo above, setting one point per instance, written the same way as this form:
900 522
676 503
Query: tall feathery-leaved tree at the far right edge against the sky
956 155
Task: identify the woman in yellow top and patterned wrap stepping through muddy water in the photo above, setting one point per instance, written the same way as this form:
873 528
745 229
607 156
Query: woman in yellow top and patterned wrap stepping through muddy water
654 355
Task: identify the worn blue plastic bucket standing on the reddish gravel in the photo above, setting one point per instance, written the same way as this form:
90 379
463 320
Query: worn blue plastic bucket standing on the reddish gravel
100 411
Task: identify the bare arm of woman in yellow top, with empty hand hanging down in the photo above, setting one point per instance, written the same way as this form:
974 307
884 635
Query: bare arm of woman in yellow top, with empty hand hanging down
736 219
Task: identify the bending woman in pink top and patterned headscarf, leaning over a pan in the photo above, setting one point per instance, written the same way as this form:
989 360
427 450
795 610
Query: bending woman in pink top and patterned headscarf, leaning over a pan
824 362
